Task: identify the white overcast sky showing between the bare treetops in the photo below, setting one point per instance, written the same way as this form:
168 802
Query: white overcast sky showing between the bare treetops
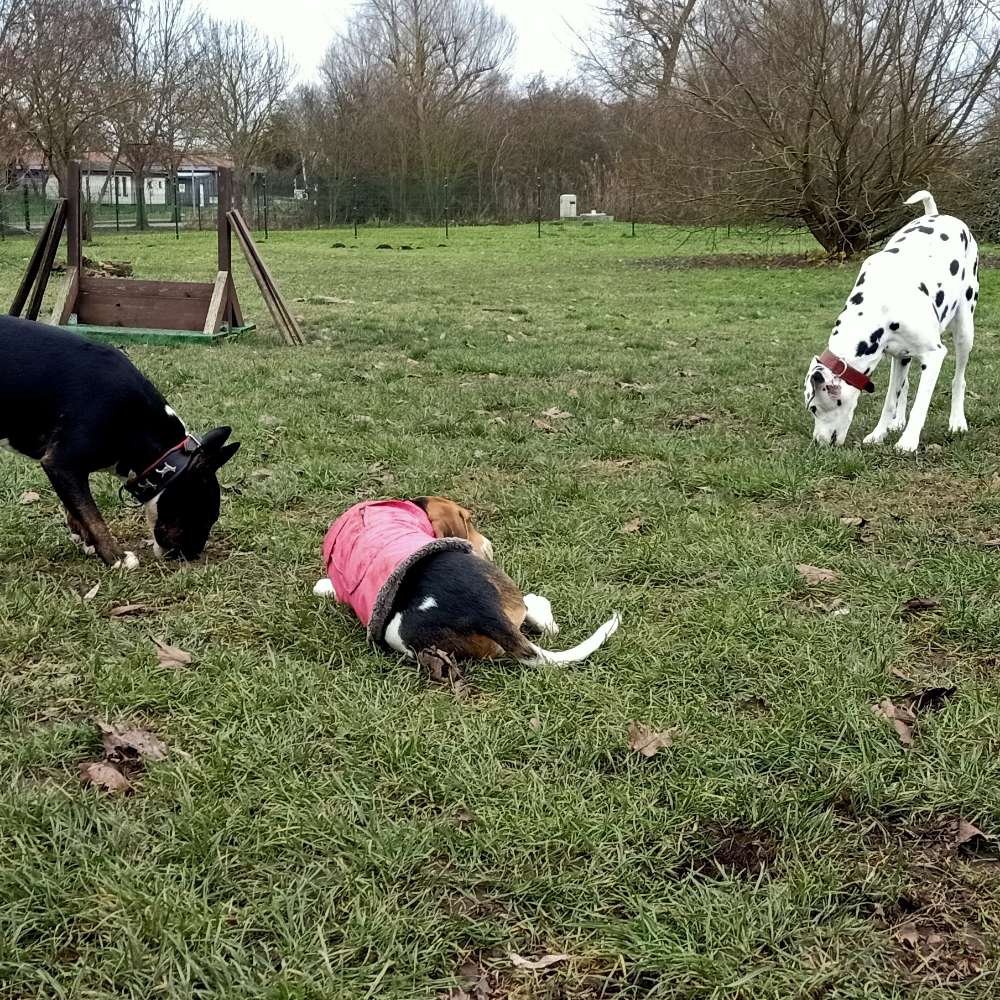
306 27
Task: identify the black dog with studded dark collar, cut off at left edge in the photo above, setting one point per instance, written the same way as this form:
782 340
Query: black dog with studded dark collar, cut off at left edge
77 407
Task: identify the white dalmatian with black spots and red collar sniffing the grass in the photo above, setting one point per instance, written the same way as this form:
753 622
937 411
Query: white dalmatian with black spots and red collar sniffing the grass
925 281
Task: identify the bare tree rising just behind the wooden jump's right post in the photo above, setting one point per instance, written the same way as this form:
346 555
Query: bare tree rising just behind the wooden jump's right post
246 75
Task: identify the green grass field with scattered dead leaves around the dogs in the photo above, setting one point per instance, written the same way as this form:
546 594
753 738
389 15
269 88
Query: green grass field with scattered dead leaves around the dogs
329 824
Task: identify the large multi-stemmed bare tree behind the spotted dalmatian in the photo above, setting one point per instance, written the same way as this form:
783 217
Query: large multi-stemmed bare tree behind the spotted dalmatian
838 107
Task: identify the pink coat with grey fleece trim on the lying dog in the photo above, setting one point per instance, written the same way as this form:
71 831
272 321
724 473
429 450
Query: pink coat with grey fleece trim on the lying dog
370 548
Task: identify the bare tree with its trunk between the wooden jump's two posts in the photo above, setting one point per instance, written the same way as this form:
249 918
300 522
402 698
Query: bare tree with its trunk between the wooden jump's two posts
160 66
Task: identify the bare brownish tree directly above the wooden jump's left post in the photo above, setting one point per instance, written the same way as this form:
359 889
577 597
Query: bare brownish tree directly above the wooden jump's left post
66 86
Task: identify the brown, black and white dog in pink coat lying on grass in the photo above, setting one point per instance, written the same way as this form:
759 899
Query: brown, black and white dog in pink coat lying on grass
420 576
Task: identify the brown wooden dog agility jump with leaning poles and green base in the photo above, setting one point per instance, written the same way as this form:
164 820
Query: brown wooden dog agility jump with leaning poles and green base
148 311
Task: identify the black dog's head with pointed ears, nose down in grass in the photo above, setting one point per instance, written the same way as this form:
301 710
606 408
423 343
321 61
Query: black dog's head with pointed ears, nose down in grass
182 516
